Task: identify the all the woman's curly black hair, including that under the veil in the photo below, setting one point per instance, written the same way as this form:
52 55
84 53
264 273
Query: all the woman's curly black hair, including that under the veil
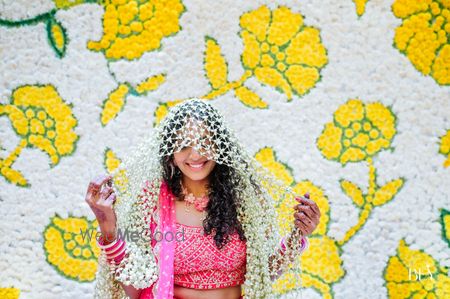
223 182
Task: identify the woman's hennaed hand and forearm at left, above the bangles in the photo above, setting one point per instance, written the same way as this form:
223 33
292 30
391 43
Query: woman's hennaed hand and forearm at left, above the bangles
100 197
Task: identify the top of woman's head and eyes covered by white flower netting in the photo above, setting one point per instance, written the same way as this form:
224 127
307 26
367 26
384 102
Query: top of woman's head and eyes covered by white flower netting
195 123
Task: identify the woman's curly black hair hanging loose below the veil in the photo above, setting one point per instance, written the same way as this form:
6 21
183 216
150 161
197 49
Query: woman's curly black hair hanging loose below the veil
223 200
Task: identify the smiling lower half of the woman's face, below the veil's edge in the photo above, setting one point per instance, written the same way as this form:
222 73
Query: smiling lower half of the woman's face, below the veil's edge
193 165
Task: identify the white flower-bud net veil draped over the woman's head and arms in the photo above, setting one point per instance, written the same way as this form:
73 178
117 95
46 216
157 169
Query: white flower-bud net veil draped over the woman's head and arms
137 182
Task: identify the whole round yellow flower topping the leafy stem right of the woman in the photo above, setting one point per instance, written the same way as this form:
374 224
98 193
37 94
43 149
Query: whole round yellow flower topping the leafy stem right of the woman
358 132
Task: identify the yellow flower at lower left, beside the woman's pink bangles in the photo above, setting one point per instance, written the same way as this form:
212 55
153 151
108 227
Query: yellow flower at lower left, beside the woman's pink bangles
70 247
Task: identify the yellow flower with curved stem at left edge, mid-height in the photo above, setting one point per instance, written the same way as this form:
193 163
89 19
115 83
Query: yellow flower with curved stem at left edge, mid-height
42 119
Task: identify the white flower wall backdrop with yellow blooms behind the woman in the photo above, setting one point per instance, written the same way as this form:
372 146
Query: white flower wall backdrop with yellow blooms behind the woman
347 100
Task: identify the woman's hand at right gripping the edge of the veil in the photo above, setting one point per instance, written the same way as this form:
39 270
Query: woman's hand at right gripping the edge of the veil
307 215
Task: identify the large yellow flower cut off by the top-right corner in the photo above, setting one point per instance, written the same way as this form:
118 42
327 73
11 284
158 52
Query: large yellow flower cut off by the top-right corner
424 36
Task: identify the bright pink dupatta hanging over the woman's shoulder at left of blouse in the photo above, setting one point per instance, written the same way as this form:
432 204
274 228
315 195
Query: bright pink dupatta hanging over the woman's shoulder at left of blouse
166 255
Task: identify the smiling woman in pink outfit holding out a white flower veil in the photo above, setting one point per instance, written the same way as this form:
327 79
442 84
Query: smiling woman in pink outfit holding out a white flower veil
192 177
